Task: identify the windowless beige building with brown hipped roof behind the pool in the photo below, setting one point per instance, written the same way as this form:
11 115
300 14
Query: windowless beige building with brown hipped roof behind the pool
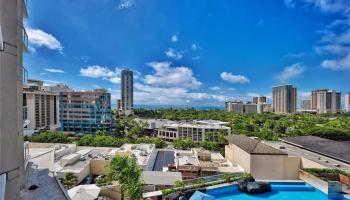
261 160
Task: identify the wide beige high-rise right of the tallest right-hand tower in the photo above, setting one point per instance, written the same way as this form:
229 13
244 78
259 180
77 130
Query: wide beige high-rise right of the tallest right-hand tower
326 101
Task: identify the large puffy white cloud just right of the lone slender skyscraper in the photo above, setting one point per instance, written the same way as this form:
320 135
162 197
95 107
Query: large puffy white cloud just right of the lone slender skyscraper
166 75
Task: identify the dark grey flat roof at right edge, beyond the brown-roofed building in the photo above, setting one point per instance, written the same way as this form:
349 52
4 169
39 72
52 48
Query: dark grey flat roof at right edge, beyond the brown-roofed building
330 148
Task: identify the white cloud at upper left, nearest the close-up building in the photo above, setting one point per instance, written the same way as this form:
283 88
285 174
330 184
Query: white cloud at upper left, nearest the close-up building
39 38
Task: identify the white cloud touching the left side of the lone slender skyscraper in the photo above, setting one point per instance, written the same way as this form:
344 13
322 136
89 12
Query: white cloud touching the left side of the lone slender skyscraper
105 73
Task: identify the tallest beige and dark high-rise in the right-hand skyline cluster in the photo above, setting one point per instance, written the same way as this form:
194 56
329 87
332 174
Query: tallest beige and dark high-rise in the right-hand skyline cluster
284 99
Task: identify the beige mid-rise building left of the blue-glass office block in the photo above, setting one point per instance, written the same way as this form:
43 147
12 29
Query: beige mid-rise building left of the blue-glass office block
42 107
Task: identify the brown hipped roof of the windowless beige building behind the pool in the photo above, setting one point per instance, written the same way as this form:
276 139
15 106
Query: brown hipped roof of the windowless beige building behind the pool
253 146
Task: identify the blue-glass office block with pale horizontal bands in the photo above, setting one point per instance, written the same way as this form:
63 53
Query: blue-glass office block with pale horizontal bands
85 111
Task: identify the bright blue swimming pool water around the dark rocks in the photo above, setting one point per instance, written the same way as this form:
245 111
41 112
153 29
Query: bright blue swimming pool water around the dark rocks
280 191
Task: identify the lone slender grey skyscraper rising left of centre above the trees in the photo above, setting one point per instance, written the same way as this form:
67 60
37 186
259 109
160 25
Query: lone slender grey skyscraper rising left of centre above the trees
127 93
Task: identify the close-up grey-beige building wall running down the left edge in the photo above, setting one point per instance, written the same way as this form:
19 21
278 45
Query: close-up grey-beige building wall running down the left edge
13 41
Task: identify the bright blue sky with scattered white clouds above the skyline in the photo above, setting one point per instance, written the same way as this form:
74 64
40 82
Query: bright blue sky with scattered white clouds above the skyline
198 52
